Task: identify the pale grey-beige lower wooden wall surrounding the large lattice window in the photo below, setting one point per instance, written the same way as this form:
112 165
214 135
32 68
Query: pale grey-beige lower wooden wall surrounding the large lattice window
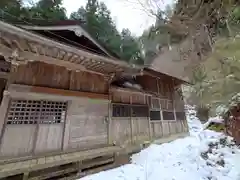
85 126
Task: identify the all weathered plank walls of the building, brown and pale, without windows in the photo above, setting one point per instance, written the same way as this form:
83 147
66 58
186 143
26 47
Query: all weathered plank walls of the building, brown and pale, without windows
89 122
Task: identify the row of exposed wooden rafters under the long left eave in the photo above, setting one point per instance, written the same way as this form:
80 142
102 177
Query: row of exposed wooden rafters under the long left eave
19 49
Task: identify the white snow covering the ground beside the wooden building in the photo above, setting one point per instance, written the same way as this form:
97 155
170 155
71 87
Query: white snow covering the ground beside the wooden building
205 155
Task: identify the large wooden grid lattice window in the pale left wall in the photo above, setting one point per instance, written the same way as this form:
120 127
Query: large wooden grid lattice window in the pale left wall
33 112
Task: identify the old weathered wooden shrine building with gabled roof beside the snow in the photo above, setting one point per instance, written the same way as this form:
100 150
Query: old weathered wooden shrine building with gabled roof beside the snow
66 99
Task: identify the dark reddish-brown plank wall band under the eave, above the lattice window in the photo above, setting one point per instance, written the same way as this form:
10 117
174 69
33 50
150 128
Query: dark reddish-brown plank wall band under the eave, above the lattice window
49 75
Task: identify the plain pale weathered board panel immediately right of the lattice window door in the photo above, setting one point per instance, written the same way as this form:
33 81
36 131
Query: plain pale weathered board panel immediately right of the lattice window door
87 124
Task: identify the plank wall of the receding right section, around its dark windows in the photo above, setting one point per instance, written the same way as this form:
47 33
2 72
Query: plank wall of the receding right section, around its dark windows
131 130
